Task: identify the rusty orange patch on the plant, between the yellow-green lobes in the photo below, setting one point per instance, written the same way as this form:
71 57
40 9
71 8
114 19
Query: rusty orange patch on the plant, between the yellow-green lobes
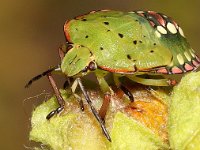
152 114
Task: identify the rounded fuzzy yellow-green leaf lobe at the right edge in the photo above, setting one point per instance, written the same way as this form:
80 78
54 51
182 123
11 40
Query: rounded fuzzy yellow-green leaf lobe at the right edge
184 114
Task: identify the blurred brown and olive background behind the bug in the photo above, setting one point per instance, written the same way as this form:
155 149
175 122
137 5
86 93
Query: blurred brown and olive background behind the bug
30 33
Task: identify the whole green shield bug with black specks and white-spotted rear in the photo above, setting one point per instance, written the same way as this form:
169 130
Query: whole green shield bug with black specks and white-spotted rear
127 44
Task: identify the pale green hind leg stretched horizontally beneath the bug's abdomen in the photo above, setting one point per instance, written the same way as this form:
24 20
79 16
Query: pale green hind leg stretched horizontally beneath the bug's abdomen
153 82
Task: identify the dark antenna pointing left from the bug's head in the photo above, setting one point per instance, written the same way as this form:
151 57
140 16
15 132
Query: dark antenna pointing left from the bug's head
41 75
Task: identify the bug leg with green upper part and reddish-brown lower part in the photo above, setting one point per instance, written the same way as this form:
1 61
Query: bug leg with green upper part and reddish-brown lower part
107 93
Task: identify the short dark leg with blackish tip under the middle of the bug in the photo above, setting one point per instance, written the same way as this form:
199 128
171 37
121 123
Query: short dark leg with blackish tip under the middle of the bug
123 88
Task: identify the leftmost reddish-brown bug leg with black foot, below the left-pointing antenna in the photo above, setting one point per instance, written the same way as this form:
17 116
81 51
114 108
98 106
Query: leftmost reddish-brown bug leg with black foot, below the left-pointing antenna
60 100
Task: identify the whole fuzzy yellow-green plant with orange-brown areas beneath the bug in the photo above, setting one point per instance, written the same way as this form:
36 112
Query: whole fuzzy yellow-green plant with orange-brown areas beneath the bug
157 119
